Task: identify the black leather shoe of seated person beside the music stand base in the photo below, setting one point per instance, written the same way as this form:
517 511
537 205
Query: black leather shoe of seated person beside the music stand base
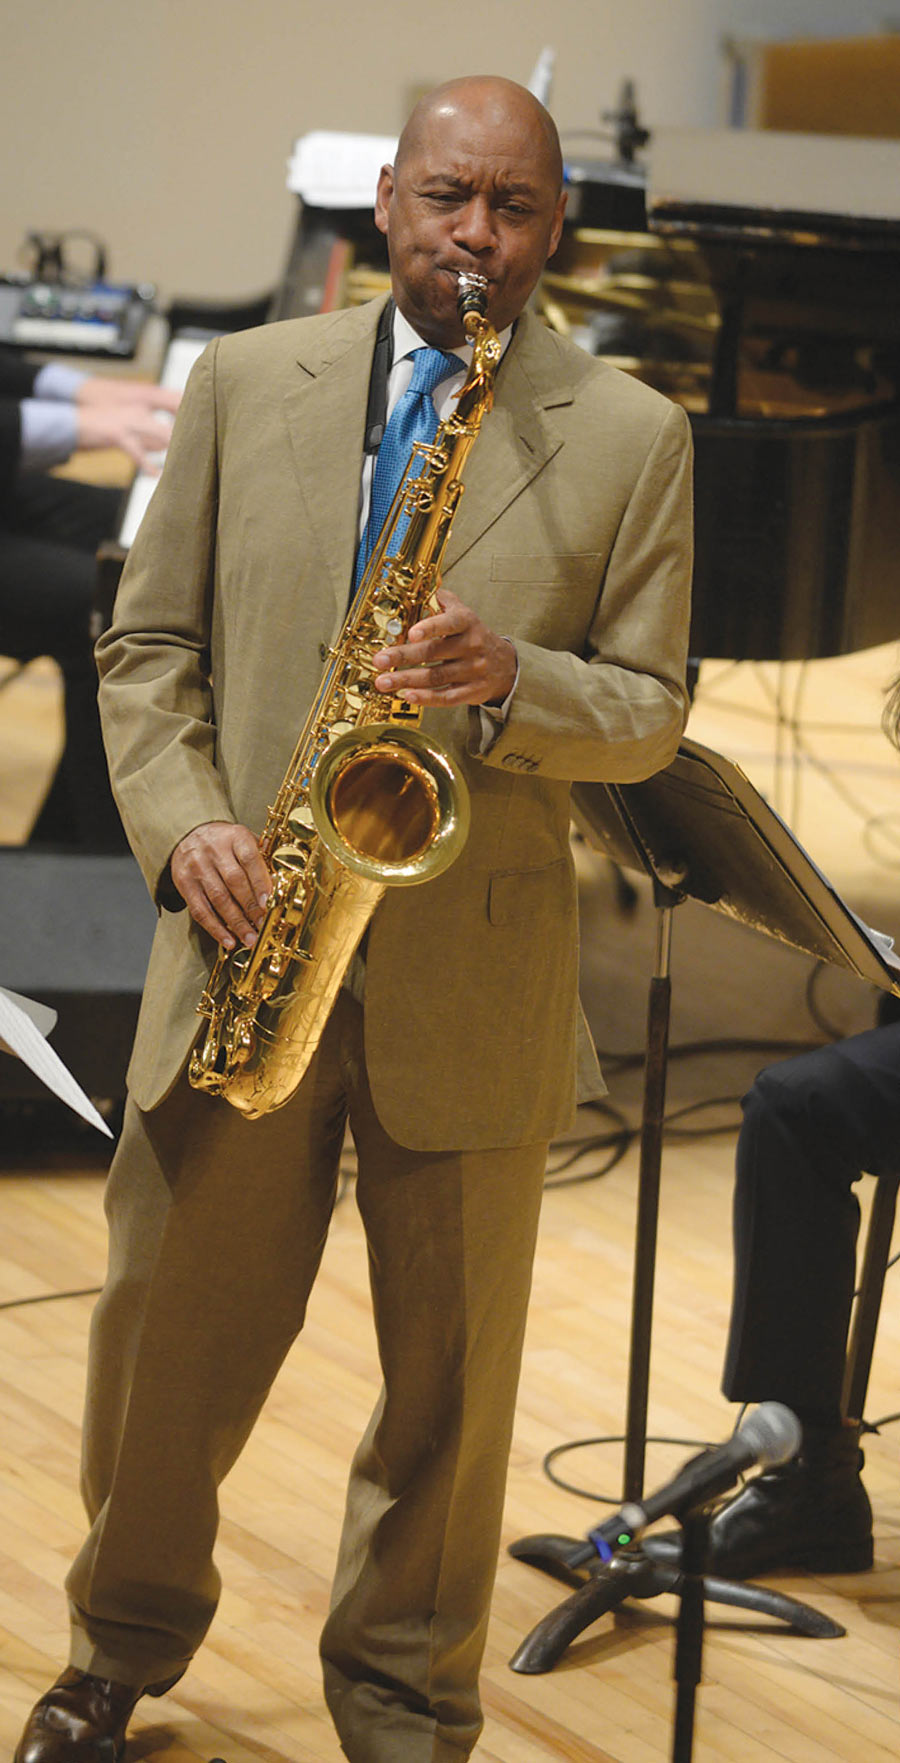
811 1514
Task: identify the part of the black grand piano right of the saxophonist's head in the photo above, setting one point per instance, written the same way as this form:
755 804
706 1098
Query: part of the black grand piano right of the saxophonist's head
754 279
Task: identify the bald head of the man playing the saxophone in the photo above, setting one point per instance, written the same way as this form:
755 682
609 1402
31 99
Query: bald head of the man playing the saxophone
476 188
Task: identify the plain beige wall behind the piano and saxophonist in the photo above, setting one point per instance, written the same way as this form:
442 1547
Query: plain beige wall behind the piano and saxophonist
165 124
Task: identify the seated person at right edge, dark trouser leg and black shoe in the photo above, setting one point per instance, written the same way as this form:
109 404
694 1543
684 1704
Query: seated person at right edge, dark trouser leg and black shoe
813 1127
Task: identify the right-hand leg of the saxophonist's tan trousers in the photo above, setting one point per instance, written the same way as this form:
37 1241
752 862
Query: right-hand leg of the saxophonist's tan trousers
451 1246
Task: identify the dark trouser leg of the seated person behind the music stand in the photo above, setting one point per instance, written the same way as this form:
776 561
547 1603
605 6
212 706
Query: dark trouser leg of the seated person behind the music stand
813 1126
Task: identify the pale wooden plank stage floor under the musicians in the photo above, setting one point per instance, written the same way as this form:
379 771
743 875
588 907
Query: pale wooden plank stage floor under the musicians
255 1688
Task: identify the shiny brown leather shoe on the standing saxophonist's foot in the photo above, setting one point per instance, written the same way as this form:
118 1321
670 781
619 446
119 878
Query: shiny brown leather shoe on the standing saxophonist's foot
82 1720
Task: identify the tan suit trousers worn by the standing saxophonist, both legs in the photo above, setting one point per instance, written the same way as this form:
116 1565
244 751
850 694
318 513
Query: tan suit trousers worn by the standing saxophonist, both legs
216 1235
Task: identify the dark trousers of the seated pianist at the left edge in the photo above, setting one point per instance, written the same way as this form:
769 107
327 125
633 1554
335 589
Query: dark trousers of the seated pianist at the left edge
49 539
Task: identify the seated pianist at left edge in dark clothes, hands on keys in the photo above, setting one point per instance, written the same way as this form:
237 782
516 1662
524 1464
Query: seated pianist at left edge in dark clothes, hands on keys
50 530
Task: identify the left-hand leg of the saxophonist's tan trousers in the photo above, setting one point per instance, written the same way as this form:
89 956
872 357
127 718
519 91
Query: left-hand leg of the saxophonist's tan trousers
216 1233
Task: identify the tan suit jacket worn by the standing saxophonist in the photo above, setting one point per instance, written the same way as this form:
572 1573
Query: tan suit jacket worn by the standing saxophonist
573 539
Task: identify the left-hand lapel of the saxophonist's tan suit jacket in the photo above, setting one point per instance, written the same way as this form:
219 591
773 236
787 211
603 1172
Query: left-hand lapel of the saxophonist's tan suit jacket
326 413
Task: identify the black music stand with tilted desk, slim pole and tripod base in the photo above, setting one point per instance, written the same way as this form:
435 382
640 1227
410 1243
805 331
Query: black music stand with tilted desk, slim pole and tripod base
700 831
